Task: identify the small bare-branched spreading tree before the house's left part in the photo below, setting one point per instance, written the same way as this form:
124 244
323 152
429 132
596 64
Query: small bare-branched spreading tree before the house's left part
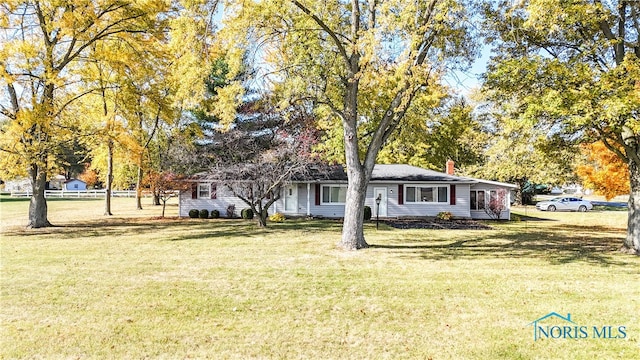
264 148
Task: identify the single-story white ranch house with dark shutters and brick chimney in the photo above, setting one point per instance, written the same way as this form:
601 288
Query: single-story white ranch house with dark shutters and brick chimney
404 191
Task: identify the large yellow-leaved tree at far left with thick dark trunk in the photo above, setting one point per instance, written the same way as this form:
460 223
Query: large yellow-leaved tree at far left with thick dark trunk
44 43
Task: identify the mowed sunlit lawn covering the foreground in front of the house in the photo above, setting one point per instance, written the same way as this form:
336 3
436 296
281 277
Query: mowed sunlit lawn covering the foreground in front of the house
135 286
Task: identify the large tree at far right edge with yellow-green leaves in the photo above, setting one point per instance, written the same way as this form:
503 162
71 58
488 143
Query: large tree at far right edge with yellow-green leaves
575 64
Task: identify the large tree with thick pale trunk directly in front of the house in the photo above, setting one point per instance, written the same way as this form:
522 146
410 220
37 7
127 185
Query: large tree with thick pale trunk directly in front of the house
360 64
